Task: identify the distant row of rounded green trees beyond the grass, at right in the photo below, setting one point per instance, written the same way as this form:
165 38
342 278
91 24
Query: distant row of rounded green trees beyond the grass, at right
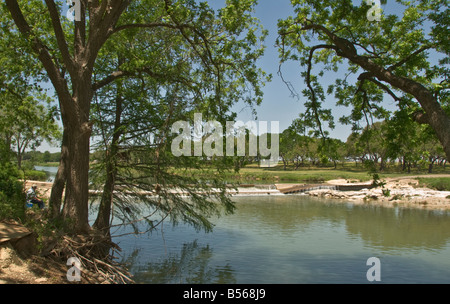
377 146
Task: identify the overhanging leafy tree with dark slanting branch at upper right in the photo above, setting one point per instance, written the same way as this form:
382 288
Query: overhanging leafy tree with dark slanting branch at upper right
404 56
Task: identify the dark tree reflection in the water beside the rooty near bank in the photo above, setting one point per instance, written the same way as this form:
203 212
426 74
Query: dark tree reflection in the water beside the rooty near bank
190 266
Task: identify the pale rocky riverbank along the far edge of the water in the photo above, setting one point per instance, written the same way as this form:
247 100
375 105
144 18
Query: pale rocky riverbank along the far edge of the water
403 190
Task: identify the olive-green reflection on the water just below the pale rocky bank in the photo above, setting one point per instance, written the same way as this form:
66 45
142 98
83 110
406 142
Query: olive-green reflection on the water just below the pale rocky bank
390 228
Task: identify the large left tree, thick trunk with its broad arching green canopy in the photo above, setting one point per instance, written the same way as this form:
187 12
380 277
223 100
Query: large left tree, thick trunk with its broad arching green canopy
212 55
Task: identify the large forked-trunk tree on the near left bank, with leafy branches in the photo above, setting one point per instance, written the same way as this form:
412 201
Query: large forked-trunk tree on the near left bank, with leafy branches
226 44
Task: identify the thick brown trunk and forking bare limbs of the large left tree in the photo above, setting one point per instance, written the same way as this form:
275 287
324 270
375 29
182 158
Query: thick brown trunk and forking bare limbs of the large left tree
74 106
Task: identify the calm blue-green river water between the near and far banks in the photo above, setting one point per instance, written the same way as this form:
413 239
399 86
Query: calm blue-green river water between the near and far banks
296 239
